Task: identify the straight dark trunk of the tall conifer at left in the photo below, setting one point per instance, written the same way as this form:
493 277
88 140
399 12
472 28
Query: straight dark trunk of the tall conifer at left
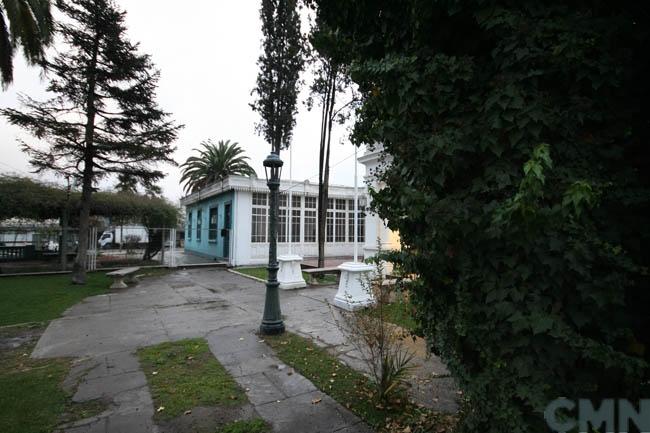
79 267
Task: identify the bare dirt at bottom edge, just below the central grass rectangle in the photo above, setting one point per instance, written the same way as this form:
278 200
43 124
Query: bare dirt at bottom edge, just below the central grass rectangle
206 419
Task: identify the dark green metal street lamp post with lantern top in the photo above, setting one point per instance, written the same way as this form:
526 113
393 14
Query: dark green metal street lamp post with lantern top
272 319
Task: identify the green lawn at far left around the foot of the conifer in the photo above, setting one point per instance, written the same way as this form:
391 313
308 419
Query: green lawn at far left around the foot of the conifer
44 297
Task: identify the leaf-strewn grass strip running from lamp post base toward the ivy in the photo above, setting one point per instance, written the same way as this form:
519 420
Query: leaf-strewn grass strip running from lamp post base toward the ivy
354 390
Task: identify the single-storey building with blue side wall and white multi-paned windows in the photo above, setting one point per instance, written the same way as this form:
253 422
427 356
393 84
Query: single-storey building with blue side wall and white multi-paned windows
229 220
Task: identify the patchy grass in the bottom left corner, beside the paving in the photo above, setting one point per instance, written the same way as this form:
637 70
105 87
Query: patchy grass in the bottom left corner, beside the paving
32 399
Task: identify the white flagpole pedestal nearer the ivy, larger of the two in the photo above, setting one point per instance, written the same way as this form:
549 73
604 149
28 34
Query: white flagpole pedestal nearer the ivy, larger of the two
352 294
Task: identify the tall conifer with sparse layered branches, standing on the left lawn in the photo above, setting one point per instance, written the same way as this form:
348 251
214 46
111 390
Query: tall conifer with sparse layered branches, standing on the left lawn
103 118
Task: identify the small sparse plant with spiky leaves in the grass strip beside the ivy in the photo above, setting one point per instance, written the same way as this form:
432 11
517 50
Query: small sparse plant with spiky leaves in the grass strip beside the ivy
380 342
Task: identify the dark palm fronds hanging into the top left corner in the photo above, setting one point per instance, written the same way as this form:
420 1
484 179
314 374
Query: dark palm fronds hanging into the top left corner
27 23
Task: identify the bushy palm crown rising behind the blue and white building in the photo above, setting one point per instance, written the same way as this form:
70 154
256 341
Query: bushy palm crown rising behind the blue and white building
215 162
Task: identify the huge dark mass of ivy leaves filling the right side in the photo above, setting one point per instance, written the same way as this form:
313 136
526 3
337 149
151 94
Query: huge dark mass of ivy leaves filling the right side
532 271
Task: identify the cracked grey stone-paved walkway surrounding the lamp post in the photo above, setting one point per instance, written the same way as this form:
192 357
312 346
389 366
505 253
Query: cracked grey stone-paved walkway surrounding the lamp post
103 332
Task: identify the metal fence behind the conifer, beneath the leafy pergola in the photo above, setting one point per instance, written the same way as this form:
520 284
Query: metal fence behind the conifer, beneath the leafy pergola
46 248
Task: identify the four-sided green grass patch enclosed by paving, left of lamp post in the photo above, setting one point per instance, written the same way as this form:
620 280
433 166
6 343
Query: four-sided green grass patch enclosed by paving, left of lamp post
184 374
